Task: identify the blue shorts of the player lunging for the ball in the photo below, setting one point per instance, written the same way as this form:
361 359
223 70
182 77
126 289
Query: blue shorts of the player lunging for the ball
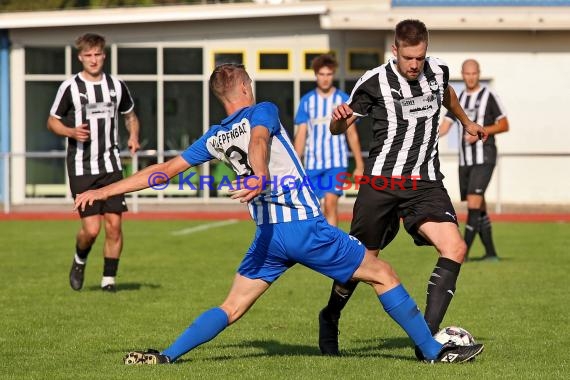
313 243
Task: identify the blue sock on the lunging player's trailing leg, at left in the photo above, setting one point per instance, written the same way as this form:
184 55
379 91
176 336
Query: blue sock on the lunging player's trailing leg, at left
204 328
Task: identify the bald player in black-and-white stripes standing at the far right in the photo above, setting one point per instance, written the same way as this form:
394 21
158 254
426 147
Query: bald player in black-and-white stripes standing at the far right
477 159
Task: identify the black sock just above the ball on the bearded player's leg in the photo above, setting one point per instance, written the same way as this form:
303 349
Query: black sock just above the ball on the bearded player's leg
441 288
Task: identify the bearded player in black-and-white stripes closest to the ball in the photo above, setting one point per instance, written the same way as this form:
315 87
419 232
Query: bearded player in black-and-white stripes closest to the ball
403 97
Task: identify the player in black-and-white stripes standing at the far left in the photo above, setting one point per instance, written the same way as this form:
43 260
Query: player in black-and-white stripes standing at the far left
86 111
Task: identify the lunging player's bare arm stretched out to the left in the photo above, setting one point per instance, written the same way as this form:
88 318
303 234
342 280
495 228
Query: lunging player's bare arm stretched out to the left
151 175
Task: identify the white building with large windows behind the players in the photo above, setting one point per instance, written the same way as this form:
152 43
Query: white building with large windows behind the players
166 54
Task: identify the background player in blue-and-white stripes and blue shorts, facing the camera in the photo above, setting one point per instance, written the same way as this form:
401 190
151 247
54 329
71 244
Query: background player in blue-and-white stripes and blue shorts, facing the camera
325 156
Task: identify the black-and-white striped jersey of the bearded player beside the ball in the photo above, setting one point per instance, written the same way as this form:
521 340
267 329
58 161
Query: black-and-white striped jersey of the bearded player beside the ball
405 118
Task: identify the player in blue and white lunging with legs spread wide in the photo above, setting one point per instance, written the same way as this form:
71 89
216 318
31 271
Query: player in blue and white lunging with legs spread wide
290 227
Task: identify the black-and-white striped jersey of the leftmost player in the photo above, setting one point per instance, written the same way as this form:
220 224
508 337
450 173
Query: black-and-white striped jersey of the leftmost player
97 104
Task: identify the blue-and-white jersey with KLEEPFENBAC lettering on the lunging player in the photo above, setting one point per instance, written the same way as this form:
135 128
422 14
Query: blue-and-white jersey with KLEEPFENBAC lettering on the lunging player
288 198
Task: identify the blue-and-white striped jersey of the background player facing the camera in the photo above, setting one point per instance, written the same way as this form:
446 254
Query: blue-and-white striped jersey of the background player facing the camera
322 149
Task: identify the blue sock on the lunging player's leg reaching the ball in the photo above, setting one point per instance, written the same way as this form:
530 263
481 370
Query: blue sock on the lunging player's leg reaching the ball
403 309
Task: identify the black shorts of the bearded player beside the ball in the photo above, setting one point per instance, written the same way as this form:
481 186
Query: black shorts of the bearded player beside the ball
376 216
